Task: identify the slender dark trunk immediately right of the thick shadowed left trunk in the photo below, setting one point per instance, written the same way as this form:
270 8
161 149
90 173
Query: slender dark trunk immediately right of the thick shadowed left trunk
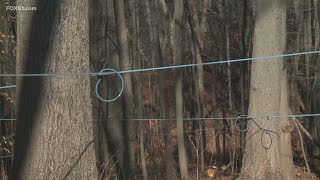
99 51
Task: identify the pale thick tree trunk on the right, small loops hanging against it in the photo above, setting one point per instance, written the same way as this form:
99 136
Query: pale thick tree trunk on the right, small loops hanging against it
264 156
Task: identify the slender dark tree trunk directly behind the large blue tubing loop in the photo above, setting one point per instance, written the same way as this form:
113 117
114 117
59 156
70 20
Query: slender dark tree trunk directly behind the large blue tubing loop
113 124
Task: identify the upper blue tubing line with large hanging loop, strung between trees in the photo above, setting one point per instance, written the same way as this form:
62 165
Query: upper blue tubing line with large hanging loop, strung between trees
104 73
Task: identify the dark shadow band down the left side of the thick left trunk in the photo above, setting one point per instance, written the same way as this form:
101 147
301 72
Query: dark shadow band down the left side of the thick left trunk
34 59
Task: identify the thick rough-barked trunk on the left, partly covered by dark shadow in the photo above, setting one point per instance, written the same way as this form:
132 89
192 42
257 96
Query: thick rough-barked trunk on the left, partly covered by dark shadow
54 138
